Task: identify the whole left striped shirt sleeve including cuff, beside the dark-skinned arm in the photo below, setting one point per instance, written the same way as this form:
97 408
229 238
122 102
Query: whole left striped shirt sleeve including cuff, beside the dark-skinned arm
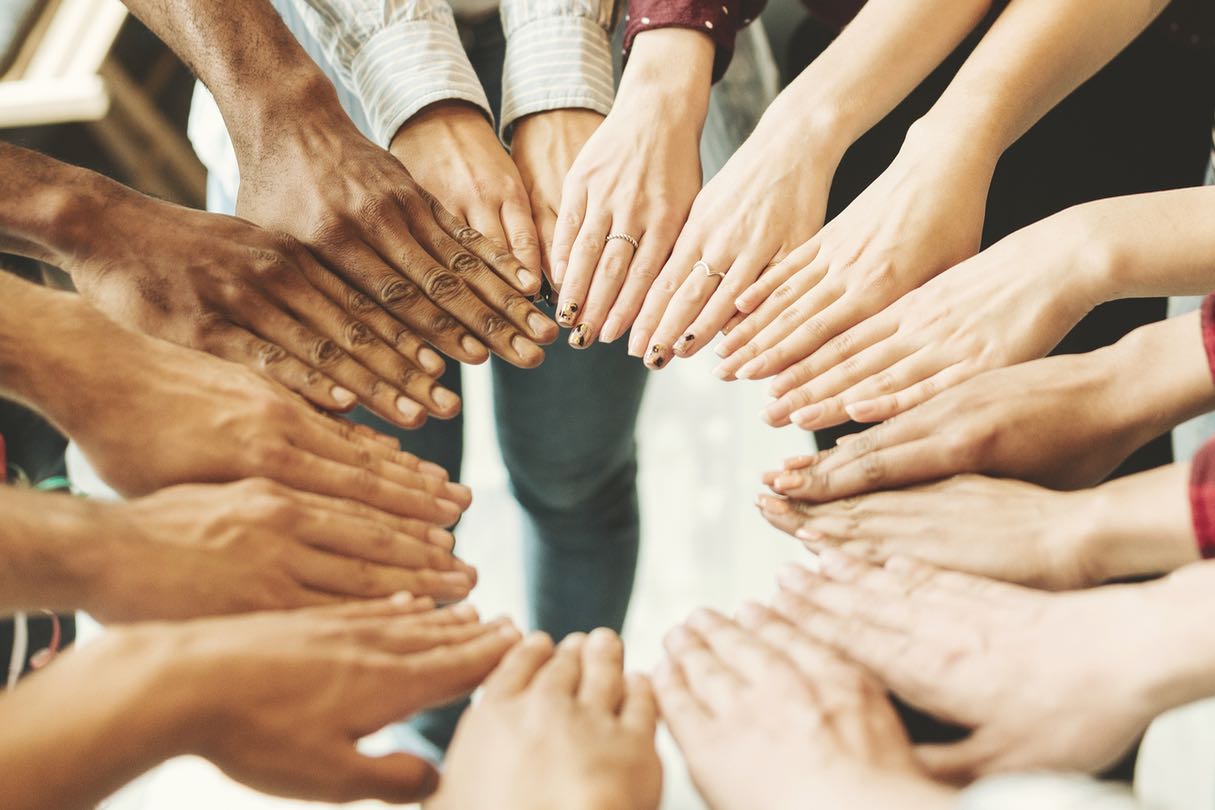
398 56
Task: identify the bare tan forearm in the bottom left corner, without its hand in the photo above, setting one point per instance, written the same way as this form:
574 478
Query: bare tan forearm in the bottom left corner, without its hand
94 721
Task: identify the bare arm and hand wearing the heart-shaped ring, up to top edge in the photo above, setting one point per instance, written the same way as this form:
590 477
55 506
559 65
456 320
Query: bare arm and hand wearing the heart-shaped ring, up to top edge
771 197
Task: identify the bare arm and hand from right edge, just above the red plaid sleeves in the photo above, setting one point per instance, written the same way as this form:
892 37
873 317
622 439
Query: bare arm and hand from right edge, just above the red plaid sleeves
1010 304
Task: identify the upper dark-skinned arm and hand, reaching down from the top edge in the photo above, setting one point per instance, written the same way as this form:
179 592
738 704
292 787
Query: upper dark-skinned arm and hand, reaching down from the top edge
308 172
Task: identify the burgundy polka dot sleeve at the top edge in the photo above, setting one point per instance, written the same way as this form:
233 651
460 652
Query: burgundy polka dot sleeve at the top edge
721 20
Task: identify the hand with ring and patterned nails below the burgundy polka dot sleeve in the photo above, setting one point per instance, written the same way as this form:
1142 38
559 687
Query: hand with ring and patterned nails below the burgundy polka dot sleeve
637 177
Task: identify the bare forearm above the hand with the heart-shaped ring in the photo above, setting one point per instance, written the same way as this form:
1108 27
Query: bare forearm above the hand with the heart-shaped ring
874 64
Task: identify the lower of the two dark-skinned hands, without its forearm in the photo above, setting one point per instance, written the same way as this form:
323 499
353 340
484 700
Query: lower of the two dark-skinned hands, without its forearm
227 287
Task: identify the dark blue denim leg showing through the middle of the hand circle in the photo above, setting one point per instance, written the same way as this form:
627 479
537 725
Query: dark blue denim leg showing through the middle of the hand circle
567 432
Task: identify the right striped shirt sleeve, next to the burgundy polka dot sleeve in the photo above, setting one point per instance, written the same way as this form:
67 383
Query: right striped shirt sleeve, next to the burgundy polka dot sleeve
558 56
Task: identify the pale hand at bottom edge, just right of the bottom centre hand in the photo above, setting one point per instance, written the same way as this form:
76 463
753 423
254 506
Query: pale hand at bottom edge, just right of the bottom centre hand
768 720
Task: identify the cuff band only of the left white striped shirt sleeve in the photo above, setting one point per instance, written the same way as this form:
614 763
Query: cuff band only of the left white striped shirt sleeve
410 65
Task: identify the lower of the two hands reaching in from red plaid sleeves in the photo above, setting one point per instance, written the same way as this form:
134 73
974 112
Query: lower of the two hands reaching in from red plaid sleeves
993 528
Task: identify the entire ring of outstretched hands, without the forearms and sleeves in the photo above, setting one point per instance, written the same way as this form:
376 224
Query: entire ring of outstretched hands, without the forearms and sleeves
338 290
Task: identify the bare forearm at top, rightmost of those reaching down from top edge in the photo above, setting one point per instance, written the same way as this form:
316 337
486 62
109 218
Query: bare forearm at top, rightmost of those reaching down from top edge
1035 55
